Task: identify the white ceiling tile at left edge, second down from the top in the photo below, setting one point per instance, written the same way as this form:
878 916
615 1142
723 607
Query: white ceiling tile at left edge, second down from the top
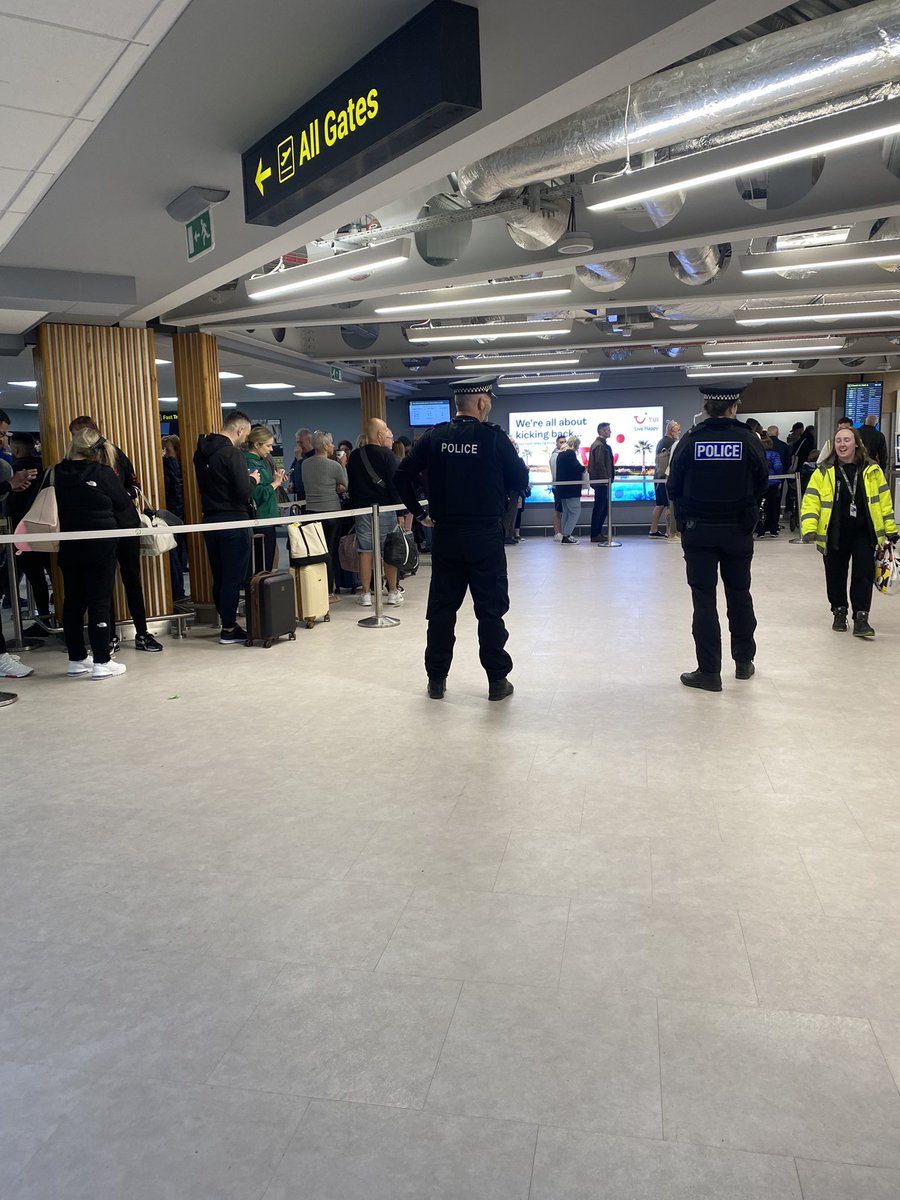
71 67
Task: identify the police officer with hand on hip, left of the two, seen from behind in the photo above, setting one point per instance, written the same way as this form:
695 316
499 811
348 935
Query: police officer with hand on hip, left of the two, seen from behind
472 469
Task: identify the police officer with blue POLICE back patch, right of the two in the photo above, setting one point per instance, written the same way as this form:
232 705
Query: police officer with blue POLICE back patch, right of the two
717 478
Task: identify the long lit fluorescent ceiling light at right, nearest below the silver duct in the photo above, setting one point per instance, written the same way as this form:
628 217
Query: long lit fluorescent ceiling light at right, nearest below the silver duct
627 190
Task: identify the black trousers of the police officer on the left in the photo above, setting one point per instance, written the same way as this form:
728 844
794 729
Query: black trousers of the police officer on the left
472 559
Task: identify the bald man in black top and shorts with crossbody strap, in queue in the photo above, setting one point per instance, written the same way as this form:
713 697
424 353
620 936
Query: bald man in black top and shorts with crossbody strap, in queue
370 477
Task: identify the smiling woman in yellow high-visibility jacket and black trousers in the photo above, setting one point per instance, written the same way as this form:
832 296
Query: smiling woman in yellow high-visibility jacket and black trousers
848 512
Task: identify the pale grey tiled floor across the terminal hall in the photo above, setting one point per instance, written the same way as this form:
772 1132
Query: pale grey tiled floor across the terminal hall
274 926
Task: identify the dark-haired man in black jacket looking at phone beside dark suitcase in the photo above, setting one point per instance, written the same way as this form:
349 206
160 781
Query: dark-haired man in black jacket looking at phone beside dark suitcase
226 489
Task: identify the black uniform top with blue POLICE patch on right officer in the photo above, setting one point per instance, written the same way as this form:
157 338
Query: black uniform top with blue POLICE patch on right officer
719 483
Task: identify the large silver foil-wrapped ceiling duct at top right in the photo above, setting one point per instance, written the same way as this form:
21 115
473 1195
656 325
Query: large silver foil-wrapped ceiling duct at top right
772 79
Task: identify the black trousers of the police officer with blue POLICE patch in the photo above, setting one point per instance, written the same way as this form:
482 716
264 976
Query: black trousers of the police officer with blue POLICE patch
709 551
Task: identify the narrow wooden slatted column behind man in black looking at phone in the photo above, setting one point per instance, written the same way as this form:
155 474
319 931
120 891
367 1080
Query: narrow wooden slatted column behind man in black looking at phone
200 411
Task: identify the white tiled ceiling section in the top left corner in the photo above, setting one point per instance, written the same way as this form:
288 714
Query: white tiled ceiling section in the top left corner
63 65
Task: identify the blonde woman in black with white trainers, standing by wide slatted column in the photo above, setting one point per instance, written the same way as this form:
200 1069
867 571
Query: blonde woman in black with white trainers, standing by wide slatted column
91 496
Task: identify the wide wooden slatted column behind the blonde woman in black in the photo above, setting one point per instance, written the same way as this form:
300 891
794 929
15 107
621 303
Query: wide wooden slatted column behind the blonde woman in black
110 375
